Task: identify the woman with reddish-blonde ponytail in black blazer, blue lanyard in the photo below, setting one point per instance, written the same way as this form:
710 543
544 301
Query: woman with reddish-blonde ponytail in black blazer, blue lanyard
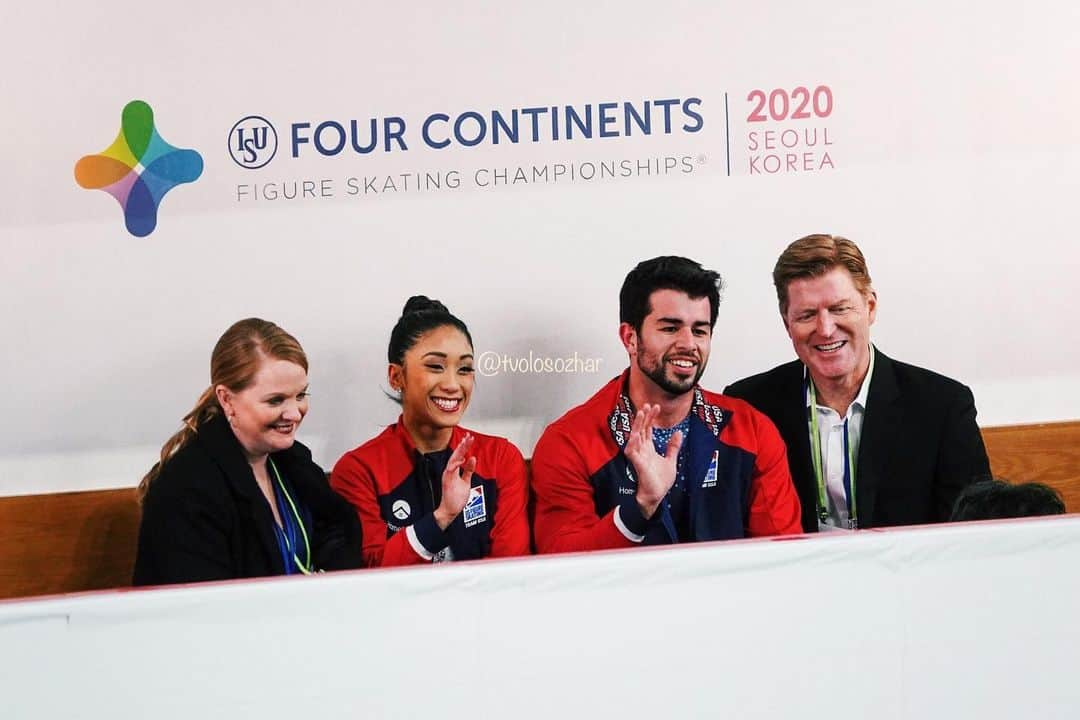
235 495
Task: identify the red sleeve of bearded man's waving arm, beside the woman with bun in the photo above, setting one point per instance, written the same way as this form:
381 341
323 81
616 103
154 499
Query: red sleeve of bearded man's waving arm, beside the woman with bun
566 520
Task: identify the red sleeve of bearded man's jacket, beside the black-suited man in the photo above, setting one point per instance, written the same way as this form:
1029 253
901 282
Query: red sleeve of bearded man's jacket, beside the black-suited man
775 508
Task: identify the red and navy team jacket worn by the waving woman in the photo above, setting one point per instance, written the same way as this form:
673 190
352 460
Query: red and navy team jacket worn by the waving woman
396 491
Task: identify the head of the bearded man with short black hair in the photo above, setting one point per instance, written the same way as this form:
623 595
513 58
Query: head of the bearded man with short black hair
668 308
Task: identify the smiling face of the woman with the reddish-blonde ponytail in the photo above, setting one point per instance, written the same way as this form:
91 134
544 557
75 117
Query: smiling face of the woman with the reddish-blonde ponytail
266 415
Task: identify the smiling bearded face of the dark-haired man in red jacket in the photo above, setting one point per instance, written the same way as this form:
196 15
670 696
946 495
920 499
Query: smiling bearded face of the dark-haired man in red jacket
672 348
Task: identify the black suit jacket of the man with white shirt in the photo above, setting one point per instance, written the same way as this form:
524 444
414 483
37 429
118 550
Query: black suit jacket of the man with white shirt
920 446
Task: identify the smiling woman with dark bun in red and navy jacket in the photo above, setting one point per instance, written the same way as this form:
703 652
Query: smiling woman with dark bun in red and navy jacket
427 490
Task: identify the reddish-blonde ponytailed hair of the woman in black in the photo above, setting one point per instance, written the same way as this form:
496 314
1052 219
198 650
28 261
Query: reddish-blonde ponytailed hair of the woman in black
234 364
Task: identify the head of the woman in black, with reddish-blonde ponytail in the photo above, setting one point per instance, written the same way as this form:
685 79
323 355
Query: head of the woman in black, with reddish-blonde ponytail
260 382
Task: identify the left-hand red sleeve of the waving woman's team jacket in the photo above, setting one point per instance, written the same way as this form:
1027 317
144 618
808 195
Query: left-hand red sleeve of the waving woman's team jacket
356 482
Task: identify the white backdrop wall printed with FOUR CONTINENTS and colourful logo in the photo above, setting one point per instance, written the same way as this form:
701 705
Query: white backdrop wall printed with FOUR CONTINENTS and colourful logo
171 172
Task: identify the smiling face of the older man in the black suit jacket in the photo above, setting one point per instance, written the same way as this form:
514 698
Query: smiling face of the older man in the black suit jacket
829 322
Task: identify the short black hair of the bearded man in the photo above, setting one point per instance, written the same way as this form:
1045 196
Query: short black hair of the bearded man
668 273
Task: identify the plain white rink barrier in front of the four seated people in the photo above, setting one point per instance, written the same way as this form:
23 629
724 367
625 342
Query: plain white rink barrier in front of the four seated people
974 621
